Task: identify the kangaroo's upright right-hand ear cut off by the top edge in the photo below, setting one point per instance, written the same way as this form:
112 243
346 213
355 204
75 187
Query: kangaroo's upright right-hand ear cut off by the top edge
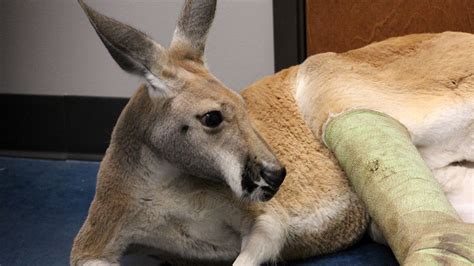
193 26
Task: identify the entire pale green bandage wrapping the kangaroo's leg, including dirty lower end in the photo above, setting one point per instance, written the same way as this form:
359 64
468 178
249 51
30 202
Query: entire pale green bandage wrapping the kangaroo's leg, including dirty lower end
399 190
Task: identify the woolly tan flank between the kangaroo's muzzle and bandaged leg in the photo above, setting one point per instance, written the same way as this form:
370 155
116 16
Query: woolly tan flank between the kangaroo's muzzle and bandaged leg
314 183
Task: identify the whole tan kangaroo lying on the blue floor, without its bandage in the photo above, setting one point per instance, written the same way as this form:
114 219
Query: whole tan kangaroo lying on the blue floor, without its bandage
192 170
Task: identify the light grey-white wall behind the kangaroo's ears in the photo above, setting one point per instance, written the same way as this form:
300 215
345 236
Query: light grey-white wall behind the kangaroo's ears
48 47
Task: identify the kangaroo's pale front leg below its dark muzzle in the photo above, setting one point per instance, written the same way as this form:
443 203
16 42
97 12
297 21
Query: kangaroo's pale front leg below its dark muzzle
263 242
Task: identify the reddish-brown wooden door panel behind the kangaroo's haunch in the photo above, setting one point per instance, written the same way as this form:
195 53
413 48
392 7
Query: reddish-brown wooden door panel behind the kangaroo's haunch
342 25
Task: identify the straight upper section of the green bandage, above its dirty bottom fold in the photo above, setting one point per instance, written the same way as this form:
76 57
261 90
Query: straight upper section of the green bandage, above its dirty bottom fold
389 175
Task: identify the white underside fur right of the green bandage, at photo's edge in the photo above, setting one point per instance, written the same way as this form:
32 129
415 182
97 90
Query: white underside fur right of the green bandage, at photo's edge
447 144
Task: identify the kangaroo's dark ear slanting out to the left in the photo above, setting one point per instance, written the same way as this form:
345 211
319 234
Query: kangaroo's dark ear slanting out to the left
132 49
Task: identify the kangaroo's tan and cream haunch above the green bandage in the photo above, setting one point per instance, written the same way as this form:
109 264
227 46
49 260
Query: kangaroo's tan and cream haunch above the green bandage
408 77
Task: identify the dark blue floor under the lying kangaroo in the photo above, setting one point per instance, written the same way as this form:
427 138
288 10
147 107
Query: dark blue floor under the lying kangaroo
44 202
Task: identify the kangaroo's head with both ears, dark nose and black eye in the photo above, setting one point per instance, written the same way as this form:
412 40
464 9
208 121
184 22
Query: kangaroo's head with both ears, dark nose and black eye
198 124
